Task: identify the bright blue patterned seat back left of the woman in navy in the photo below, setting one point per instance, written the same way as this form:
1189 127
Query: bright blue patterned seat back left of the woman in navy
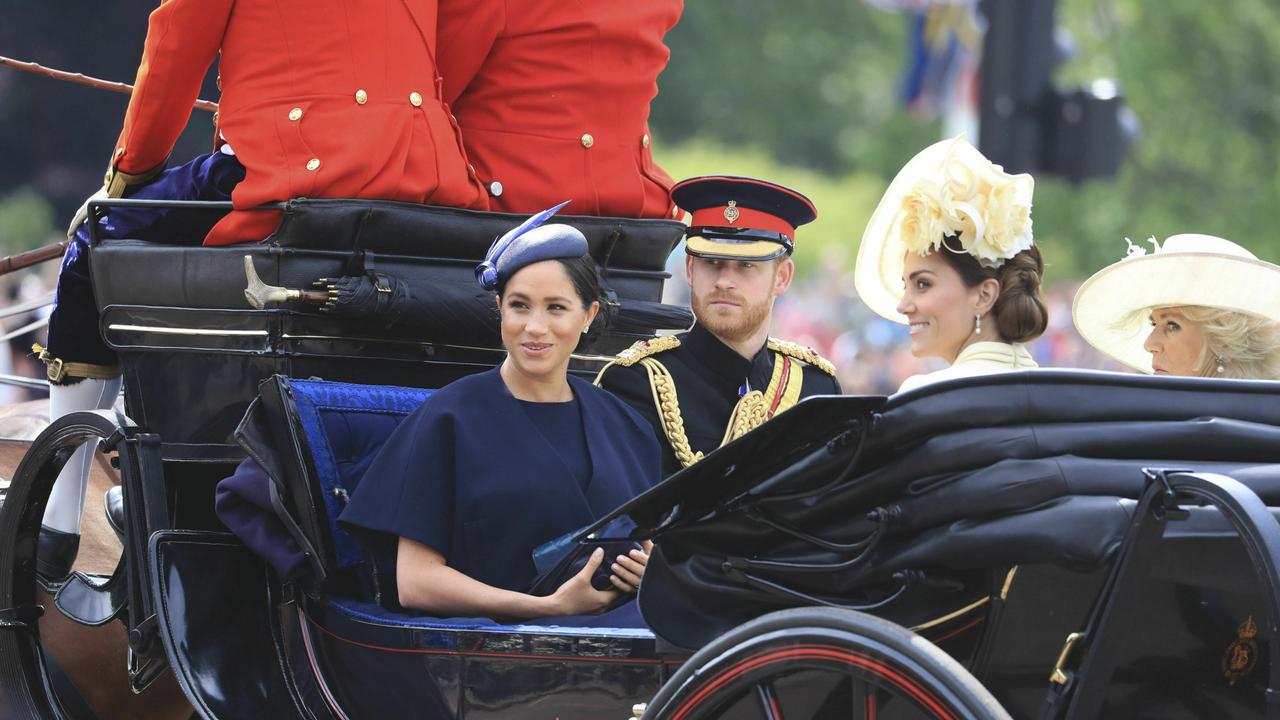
346 425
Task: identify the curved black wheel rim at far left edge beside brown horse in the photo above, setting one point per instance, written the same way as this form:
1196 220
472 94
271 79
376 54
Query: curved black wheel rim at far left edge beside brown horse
26 690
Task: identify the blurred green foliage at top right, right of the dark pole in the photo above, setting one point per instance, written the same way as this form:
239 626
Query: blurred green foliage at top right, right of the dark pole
1205 81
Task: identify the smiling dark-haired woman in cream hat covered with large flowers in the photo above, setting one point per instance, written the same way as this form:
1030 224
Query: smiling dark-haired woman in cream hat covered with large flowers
949 253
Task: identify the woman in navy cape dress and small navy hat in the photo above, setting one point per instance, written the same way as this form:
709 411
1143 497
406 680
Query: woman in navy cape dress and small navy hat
500 463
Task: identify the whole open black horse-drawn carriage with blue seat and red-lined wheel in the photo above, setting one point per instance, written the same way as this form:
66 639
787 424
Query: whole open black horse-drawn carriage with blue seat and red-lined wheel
1110 531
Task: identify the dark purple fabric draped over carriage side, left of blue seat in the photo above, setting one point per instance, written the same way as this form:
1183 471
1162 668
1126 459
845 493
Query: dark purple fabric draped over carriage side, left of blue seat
244 504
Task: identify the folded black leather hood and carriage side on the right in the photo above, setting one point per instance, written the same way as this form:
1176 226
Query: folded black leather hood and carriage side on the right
986 516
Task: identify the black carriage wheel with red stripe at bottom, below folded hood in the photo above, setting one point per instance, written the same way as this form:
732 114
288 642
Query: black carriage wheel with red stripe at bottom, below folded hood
819 664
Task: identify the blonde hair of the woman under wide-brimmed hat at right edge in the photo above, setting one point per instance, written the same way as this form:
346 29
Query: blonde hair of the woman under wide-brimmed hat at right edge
1246 347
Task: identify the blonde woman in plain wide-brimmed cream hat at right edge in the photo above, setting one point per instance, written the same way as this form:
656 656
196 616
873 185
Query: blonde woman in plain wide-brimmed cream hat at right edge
1199 306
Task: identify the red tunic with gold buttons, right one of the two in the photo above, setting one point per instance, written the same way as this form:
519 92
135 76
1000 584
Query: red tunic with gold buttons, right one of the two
554 101
